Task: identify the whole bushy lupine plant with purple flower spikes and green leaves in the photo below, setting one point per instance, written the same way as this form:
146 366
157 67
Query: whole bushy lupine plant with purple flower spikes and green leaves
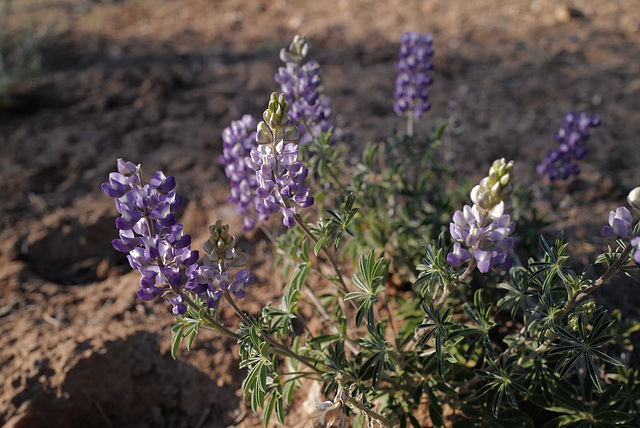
426 314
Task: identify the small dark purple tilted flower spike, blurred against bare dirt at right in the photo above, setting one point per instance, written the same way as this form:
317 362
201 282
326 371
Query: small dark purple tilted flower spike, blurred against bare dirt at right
561 162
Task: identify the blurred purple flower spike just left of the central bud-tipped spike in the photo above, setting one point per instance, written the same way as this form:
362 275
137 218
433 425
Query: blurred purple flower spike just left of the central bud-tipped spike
238 140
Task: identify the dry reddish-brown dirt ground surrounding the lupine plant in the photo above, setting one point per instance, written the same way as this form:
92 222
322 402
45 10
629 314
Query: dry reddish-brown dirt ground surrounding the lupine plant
156 81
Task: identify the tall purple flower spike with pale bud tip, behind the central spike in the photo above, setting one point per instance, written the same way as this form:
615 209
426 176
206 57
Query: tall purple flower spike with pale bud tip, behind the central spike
304 91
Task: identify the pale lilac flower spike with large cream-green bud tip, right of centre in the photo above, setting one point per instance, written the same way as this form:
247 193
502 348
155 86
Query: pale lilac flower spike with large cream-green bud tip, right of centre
485 227
